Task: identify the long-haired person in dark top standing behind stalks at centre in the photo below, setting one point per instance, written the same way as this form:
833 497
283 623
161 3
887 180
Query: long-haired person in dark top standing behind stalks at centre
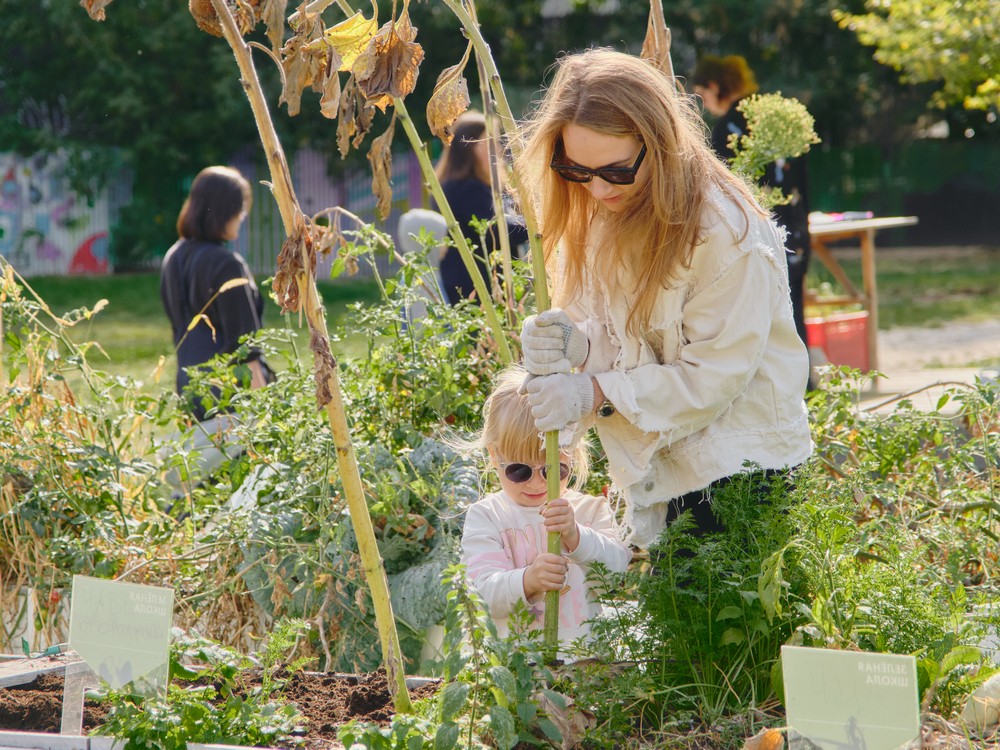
464 172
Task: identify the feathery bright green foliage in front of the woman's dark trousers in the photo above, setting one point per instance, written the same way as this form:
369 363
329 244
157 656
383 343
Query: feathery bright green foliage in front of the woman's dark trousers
708 616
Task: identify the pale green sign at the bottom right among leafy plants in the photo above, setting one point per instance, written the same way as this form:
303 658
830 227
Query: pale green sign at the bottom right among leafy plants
842 700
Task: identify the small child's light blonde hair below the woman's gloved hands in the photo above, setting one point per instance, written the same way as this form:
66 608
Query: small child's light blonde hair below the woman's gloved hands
509 429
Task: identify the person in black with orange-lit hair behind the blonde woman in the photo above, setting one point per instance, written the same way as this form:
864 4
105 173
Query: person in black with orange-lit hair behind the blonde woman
722 82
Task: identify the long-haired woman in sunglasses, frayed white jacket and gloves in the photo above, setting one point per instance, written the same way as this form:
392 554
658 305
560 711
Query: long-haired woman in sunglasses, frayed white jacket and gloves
672 328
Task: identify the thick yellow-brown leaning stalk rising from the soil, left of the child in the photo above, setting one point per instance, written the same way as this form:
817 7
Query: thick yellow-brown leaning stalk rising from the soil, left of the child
292 218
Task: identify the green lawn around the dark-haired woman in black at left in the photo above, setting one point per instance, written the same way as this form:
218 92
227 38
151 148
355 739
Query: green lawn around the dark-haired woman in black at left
133 329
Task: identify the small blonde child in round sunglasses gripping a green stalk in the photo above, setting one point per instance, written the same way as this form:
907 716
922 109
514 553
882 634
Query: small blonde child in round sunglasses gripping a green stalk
504 543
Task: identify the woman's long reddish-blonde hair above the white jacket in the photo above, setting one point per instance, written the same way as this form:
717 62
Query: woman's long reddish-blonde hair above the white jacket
656 232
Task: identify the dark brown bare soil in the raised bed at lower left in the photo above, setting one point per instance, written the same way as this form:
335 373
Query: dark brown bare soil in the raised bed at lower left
326 700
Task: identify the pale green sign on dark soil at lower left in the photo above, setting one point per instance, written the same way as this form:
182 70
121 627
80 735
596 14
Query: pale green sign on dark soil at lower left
122 630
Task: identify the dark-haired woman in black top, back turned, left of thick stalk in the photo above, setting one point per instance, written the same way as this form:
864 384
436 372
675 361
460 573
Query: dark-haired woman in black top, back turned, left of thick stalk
194 272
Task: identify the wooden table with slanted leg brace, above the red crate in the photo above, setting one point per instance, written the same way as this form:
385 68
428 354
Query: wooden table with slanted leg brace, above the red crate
862 230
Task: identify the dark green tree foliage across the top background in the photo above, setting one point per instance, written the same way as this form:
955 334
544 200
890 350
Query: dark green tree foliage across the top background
146 88
